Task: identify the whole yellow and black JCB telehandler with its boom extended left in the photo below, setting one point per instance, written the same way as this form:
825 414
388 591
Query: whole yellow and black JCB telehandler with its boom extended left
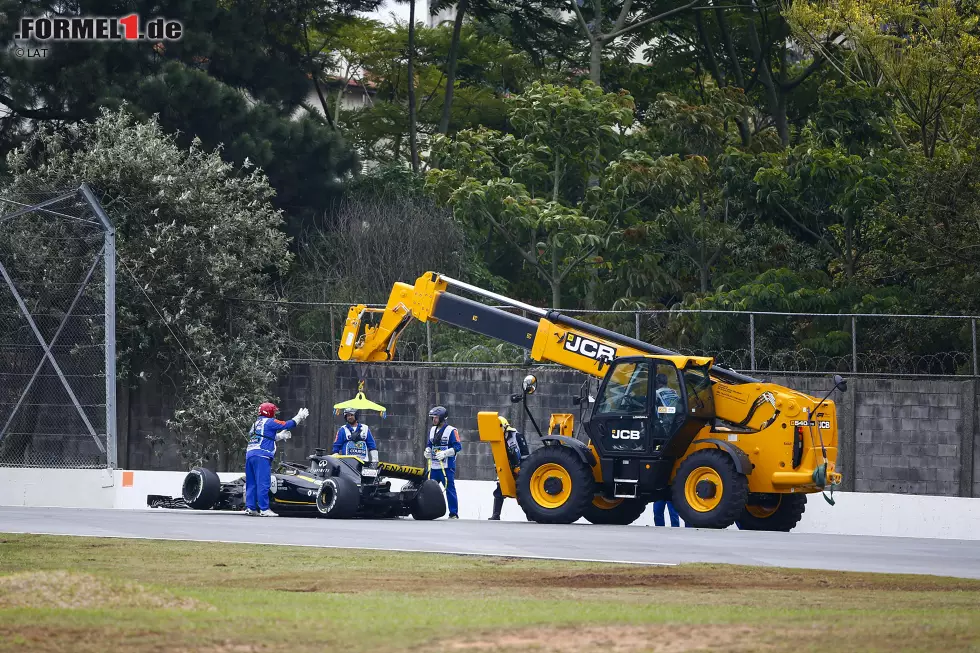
724 447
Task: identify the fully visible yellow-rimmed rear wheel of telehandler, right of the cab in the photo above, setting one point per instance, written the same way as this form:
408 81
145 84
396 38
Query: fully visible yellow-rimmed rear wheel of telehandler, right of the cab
708 492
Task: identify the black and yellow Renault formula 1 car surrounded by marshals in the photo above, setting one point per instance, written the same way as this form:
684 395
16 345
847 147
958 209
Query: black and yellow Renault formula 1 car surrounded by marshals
332 486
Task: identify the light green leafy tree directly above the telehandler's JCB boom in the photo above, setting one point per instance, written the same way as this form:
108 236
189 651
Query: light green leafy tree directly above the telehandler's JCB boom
558 187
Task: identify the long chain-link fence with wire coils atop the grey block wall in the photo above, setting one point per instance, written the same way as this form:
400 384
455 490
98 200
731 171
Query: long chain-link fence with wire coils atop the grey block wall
761 341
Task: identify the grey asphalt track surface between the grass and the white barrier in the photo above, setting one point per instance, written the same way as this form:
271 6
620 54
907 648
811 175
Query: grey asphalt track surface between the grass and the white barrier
623 544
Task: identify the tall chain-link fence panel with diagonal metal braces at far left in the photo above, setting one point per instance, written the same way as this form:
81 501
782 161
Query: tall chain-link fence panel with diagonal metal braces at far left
57 339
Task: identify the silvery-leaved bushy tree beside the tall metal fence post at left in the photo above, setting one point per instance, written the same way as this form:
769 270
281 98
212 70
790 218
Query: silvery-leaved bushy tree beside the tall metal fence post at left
194 235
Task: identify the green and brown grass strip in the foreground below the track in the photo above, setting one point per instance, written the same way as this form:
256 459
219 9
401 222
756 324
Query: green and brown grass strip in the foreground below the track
144 595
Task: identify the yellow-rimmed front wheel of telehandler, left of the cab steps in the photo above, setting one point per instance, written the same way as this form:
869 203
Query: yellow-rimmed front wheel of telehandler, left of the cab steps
554 486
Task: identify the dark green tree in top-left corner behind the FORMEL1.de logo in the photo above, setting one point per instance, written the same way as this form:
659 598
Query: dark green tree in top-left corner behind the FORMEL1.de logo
235 78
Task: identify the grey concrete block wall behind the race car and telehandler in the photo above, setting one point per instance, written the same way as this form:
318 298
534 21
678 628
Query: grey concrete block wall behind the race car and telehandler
899 436
